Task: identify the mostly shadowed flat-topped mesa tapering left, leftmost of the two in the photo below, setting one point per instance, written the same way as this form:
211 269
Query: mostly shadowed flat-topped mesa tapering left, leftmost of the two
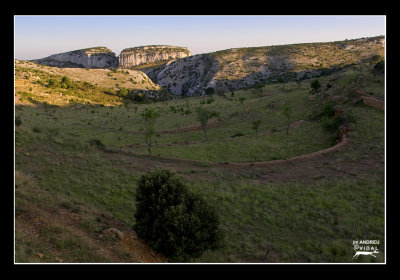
97 57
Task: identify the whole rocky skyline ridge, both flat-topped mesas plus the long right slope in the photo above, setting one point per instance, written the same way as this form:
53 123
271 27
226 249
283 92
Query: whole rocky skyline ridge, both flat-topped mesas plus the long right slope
188 75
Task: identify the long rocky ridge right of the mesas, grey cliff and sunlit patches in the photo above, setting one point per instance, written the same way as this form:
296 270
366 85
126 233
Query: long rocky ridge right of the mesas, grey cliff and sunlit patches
239 68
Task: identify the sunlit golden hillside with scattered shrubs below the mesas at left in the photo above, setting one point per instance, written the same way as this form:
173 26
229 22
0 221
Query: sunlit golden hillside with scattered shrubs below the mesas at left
93 85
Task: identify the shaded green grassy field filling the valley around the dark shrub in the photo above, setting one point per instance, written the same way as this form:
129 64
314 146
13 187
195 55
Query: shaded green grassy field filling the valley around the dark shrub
308 218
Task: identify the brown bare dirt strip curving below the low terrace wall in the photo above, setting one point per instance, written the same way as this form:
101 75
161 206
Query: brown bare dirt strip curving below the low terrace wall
306 168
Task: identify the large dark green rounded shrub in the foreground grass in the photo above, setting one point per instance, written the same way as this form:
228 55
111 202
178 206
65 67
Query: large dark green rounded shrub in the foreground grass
173 220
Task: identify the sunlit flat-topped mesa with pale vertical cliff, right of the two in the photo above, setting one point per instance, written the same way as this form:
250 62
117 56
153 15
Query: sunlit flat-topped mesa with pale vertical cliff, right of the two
131 57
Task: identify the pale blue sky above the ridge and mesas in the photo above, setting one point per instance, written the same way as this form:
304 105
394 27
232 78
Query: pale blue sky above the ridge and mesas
41 36
